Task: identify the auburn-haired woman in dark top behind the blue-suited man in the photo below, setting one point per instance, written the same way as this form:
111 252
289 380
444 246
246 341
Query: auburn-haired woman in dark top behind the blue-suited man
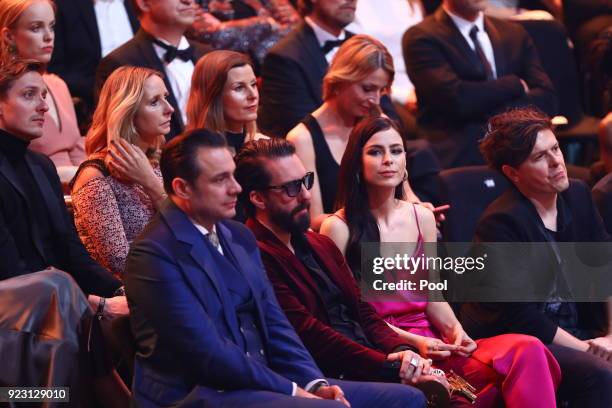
224 97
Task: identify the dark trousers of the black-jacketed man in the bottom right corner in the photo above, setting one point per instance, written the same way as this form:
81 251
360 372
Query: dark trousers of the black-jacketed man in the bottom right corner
586 379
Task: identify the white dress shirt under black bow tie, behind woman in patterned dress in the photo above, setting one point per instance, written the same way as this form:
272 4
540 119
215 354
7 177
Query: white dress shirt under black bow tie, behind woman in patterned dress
179 74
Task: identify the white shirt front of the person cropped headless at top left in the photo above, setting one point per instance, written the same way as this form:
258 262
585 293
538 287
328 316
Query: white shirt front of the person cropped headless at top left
113 24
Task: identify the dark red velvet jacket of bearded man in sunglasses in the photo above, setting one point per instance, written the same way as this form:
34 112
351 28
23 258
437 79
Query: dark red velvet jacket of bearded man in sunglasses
298 295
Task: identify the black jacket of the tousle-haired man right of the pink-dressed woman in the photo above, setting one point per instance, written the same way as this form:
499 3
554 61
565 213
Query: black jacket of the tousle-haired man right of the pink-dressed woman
513 218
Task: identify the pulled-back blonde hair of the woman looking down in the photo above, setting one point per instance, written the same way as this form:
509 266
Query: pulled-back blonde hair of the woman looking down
357 58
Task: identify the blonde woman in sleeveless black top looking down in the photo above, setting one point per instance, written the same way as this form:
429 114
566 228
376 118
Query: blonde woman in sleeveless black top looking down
360 73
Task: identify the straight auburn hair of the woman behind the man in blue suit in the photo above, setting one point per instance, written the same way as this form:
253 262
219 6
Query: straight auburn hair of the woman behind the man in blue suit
205 105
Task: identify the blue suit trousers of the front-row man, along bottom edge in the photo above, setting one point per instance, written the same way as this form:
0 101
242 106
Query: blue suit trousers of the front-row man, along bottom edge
359 394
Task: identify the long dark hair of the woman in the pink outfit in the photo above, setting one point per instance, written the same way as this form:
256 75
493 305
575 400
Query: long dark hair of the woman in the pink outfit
352 193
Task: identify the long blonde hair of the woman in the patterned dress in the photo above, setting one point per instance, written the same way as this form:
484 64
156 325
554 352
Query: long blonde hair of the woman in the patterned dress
120 98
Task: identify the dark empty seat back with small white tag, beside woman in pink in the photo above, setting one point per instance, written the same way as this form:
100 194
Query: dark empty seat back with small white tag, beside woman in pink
469 191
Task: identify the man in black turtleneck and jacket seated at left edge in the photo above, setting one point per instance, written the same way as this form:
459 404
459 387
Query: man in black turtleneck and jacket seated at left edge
36 234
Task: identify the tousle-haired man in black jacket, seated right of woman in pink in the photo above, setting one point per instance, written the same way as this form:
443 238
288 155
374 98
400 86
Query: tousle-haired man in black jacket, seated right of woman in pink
543 206
